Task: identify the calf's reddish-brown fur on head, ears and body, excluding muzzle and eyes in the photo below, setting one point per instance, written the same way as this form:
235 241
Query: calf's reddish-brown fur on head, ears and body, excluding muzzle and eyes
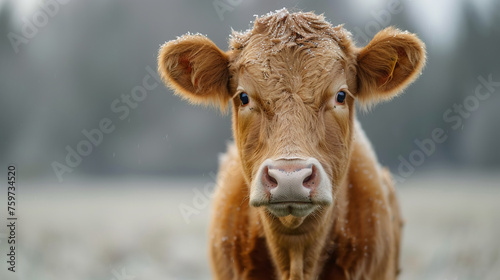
292 66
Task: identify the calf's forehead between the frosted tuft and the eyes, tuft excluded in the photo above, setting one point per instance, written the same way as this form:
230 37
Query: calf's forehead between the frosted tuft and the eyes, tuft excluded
302 70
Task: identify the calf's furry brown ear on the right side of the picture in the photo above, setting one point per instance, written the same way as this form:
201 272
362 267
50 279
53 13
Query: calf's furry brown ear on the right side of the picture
388 64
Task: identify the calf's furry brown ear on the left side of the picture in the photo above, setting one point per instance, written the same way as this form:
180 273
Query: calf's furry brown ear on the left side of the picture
196 70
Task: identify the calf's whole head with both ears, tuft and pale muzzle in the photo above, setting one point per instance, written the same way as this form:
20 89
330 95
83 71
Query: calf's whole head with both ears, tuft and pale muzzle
293 81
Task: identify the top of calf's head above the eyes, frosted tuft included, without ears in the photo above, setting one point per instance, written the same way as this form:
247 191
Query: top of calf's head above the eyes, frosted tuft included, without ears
299 53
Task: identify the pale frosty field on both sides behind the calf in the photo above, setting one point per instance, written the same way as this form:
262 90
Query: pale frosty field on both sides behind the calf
133 229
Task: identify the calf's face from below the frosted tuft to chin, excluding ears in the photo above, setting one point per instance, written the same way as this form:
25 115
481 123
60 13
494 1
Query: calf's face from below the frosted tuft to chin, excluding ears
293 111
